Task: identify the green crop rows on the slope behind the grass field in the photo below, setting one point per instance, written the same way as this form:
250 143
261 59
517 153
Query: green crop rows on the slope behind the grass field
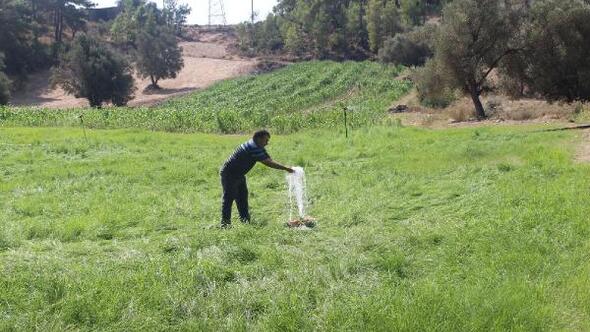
298 96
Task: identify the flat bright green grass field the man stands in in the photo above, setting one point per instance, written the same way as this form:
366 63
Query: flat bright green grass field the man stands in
464 229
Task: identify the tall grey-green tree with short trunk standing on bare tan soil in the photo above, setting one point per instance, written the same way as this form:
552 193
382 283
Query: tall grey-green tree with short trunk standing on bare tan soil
158 55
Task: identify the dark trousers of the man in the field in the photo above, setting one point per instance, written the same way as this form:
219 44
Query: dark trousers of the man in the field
234 189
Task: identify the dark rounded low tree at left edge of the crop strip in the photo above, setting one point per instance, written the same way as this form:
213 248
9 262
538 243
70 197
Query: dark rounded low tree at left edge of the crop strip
93 71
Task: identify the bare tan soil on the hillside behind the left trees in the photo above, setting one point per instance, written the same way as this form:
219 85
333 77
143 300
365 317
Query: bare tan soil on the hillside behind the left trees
205 62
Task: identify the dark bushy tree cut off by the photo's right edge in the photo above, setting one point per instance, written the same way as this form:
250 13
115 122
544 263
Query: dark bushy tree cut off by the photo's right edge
557 51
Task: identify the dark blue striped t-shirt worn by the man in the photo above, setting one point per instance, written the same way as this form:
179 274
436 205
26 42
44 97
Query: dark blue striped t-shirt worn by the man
243 159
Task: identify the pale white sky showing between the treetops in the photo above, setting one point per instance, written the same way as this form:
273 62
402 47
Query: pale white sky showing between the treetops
236 11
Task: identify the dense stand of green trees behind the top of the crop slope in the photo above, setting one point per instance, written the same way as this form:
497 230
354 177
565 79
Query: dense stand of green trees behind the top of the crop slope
337 29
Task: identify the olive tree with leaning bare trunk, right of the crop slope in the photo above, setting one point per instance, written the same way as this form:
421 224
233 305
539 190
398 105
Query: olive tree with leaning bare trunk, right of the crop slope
474 38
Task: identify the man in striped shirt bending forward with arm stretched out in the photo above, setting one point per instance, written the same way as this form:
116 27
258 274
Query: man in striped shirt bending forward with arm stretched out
233 175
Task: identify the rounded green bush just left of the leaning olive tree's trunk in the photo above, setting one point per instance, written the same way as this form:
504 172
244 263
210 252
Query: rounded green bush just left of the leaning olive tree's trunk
434 85
